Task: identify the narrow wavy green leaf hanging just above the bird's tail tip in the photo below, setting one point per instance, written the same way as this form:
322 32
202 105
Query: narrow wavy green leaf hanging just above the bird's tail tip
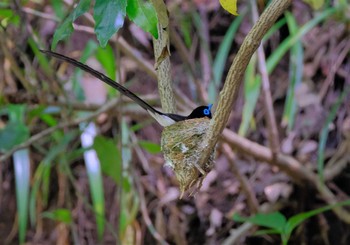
66 28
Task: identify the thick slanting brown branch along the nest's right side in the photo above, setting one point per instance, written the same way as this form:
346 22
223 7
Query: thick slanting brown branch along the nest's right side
235 76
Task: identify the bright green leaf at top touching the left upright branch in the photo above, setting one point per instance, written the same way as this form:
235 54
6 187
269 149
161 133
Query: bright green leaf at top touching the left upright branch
144 15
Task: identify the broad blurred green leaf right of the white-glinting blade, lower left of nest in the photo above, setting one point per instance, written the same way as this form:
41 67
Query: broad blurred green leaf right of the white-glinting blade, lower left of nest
109 157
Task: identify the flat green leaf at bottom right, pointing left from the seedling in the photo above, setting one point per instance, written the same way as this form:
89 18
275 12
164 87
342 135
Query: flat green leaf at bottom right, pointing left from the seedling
275 220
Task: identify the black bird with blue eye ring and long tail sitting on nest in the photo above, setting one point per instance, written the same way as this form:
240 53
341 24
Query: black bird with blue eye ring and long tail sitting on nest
164 119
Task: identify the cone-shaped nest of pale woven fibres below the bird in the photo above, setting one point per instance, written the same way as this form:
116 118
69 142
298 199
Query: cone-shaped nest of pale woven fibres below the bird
181 146
